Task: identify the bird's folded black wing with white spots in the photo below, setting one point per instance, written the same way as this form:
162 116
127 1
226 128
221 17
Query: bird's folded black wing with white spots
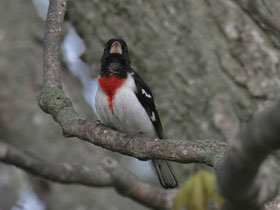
145 97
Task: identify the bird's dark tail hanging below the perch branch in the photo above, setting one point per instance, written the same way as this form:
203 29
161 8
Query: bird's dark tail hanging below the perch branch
165 174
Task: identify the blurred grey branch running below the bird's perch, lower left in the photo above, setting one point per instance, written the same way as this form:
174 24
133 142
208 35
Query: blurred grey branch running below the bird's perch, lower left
109 174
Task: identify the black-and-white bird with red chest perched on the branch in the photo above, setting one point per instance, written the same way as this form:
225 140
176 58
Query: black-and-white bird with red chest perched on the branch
123 101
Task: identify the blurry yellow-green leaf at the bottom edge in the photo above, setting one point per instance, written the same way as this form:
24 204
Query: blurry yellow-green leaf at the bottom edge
197 191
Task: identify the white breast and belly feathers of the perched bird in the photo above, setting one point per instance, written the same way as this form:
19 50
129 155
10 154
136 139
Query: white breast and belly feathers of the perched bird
129 115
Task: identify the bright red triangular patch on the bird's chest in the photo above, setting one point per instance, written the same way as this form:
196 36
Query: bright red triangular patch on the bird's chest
110 85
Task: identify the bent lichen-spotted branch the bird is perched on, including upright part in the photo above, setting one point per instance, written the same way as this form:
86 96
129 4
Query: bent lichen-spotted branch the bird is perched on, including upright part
54 102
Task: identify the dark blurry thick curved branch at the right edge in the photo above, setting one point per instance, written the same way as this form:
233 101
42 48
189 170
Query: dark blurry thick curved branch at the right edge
251 146
